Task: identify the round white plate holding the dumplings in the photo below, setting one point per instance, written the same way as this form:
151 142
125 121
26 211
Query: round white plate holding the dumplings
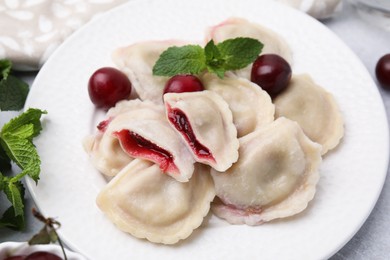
352 175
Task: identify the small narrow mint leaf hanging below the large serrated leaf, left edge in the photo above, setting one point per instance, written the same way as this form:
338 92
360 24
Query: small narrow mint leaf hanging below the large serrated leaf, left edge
15 194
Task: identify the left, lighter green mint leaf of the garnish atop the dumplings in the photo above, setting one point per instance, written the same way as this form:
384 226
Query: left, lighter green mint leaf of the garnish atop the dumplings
189 59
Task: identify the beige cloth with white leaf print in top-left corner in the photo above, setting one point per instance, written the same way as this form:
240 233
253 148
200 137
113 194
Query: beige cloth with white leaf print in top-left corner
31 30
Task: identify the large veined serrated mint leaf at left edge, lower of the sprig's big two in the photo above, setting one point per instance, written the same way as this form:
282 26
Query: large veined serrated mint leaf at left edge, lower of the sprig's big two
24 154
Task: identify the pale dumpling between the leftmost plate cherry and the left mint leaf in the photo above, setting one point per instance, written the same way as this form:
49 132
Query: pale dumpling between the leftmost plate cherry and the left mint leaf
137 62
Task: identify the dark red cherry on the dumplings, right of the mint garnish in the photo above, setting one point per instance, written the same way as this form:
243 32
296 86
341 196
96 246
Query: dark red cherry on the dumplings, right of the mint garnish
272 73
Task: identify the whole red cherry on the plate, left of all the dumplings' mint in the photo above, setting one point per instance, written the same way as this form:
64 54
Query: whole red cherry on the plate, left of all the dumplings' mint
107 86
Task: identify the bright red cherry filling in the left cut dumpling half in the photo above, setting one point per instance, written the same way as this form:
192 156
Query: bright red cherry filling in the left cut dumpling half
139 147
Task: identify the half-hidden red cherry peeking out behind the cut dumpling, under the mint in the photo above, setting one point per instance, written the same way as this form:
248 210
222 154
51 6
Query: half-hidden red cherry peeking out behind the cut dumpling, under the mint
183 83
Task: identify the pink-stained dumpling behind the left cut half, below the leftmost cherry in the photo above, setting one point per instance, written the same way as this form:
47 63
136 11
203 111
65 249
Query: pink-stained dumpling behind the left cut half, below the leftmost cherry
104 149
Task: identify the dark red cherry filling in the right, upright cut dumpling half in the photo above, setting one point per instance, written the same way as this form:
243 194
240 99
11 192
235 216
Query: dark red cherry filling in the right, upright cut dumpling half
181 123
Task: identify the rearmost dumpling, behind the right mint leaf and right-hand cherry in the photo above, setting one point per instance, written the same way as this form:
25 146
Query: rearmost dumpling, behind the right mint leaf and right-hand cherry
237 27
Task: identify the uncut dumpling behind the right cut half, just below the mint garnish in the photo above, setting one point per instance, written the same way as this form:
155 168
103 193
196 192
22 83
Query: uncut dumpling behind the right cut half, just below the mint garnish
250 105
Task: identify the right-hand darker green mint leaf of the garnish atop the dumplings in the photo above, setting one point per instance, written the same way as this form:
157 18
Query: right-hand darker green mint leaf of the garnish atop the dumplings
239 52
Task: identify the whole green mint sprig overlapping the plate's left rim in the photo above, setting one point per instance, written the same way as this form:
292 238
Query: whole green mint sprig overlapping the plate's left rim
16 145
